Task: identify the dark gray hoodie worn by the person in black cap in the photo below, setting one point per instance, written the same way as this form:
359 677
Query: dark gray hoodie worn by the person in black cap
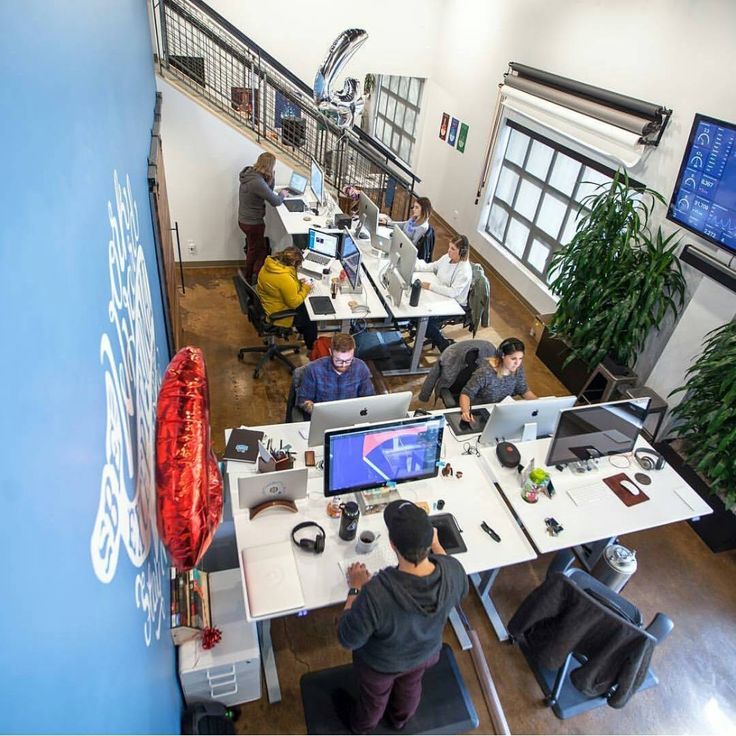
396 622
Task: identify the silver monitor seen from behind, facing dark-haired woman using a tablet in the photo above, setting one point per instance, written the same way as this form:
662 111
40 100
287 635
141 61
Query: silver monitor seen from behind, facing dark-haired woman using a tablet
539 417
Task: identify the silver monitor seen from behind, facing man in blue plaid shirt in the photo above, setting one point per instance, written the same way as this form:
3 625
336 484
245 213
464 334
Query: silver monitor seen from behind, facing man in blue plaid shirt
347 412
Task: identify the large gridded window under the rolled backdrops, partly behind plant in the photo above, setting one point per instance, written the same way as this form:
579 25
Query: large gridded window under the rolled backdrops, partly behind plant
537 198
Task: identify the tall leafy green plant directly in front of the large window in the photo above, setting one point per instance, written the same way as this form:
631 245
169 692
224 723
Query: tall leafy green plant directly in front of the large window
615 280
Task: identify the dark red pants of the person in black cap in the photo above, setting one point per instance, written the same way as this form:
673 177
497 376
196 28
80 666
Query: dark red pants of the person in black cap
395 694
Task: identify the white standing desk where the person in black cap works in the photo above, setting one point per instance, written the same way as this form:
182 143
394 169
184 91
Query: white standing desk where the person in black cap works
471 500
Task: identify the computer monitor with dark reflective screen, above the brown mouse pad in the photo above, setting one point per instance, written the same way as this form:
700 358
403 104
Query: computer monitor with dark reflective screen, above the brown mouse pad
589 432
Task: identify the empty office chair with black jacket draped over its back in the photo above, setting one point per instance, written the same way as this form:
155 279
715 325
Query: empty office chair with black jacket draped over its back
585 643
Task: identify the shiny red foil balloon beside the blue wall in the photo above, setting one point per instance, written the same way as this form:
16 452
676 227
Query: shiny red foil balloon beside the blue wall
188 480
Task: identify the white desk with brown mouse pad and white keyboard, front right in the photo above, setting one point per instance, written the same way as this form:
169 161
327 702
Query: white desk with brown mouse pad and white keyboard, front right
605 515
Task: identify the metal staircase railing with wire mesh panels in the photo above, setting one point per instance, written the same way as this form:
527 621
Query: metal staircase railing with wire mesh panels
220 64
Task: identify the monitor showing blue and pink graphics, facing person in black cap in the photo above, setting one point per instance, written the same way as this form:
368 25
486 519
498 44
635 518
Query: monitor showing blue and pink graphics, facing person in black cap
362 458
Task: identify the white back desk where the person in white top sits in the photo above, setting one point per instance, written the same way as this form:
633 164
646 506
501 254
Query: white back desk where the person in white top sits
430 304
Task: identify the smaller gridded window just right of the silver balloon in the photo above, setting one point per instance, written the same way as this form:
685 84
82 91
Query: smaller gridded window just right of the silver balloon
397 110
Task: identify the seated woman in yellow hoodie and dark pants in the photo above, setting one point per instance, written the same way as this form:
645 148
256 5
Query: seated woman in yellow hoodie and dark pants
280 288
